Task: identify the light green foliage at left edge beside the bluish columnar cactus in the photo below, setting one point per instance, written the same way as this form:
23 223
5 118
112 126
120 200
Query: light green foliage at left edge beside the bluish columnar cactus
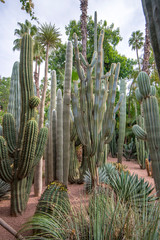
4 96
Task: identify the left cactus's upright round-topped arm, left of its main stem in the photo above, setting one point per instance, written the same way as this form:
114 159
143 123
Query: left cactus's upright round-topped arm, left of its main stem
9 132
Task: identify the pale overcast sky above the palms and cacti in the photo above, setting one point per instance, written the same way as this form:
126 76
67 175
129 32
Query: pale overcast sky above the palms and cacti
125 14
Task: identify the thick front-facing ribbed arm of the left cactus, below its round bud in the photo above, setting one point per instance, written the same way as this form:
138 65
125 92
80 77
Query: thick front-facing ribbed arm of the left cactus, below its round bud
28 149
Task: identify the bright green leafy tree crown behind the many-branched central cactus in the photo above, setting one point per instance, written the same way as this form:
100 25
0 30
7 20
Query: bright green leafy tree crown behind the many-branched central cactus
111 39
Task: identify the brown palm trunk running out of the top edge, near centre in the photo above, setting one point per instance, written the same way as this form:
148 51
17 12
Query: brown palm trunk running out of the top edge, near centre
83 18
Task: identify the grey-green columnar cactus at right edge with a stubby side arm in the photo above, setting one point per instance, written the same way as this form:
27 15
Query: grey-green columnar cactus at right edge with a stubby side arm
152 124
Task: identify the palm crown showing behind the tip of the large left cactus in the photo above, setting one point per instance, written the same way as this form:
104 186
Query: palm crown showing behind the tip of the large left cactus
26 27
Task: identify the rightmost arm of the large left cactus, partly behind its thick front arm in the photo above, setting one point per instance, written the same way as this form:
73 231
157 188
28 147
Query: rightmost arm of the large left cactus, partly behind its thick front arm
40 146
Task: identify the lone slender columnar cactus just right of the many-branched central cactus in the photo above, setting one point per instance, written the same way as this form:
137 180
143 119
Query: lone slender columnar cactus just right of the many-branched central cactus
122 121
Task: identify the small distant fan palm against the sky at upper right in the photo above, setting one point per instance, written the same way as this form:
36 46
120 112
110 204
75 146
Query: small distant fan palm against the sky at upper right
136 41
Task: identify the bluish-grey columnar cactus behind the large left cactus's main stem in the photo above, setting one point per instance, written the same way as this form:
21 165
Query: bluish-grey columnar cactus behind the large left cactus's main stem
14 105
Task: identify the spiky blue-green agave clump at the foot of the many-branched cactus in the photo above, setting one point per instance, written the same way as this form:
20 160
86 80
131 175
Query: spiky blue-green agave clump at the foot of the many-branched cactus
129 188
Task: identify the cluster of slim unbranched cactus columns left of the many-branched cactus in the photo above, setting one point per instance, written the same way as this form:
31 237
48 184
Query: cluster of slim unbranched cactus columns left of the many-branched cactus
58 156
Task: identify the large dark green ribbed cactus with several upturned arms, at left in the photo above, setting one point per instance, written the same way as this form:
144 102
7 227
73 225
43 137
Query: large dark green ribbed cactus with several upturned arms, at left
18 158
